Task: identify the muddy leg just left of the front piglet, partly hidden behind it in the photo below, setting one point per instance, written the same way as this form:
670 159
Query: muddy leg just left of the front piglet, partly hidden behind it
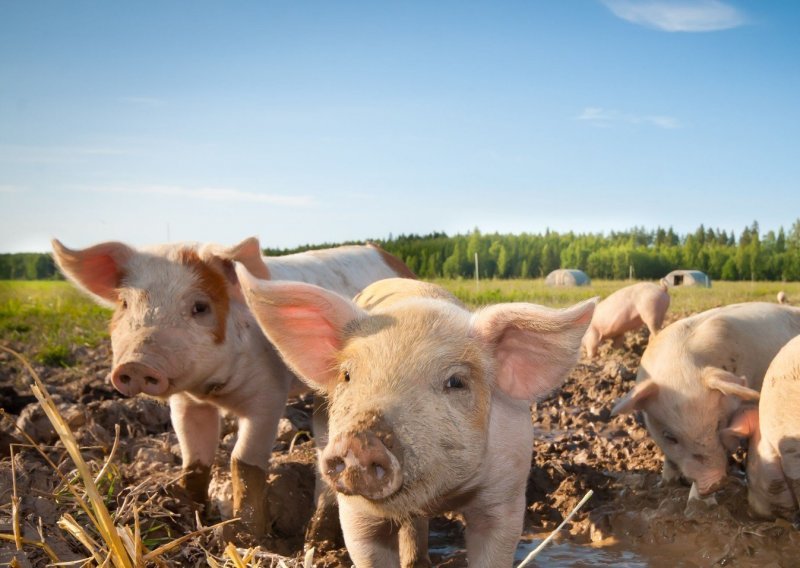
324 525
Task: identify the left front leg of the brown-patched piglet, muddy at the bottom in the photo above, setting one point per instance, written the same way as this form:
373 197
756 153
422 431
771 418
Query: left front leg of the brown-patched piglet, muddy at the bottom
197 427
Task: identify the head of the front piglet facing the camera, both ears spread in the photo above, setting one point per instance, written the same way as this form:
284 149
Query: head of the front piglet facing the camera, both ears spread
412 383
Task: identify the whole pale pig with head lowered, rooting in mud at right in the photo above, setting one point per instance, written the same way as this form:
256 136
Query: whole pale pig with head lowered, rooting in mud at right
693 377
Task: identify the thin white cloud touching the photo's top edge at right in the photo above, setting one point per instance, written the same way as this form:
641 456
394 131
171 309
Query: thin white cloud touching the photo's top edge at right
678 16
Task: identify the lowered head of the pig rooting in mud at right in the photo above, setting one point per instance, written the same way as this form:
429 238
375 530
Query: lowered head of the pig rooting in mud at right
687 422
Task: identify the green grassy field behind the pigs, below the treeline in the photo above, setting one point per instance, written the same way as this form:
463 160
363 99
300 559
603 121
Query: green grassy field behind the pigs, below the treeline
51 319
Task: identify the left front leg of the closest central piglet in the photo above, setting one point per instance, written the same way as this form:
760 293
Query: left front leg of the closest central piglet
372 542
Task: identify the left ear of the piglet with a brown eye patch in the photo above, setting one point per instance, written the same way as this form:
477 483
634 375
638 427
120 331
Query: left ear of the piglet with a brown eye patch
99 269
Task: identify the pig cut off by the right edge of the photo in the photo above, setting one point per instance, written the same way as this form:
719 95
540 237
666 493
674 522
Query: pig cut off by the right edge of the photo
773 430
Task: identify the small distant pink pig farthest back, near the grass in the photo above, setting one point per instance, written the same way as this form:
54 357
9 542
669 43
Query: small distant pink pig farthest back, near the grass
627 309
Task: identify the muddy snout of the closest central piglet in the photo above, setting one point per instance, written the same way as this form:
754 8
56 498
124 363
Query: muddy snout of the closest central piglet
361 464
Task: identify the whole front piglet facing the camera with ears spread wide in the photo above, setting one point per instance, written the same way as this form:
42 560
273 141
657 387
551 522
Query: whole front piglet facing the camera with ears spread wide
429 406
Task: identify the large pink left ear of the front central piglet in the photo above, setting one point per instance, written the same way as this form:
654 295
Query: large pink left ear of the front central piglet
305 322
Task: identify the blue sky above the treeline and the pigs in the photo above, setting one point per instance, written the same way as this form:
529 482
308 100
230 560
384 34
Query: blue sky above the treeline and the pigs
308 122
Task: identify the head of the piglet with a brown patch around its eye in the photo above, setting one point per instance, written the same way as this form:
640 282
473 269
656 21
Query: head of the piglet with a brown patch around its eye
173 312
